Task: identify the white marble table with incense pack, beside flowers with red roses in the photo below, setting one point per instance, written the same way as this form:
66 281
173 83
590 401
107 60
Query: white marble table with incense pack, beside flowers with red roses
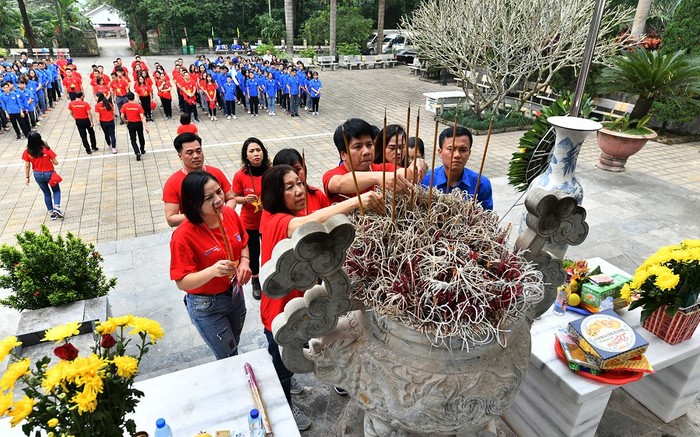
210 397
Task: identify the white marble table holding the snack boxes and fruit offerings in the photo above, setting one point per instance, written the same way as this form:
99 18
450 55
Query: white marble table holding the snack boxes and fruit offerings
554 401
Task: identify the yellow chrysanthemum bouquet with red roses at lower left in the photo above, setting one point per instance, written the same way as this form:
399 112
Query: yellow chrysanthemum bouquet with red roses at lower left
79 395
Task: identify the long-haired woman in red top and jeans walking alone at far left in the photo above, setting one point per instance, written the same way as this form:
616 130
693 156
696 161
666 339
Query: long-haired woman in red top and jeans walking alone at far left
41 159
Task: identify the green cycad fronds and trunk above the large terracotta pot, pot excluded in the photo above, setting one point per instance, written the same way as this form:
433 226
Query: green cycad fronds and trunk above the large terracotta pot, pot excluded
651 75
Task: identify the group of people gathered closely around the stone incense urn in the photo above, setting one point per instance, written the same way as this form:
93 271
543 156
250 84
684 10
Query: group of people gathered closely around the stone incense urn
214 251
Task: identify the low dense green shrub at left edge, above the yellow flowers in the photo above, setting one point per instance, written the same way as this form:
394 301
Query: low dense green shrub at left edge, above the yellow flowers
45 271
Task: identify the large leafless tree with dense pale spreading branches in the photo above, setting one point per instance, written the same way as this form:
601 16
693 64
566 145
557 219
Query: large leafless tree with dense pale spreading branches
497 46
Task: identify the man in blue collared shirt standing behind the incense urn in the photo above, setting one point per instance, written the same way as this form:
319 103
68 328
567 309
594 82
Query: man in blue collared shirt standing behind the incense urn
454 160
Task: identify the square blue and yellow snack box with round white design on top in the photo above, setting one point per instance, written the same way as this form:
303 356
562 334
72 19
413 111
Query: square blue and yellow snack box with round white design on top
607 339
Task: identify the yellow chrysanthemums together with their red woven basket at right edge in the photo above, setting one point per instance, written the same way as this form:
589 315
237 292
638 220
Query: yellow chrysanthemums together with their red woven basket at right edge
667 286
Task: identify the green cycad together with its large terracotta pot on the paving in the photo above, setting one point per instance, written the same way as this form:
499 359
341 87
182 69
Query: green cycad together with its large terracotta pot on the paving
650 75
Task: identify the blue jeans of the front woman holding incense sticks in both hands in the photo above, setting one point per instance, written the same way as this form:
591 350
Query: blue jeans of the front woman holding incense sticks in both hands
219 319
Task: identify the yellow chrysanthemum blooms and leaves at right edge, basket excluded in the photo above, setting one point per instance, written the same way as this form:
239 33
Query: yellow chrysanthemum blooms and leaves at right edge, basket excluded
668 280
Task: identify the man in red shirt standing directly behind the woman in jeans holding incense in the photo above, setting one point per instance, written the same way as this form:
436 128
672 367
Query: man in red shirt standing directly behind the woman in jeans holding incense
189 150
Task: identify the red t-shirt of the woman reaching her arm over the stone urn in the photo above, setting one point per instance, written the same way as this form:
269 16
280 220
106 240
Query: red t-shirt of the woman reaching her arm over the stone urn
273 229
